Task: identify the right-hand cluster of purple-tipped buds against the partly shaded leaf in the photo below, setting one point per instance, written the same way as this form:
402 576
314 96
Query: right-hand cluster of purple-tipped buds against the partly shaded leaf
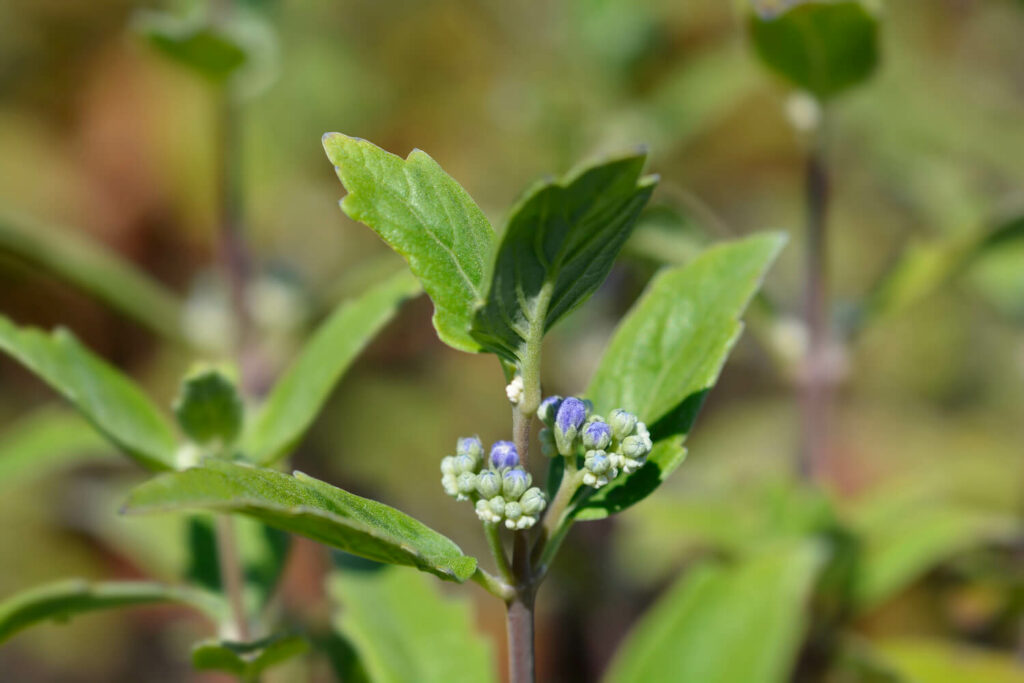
619 444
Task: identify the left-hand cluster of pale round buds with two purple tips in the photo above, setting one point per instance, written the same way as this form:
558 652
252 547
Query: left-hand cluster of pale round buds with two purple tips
499 486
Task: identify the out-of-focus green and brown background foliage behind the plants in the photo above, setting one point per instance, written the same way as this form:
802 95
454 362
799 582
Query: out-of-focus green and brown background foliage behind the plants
112 148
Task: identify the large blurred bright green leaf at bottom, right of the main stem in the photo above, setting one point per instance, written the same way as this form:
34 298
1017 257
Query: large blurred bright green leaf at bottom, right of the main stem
723 624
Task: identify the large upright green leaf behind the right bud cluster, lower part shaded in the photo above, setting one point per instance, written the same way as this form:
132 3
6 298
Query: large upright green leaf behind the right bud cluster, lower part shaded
668 353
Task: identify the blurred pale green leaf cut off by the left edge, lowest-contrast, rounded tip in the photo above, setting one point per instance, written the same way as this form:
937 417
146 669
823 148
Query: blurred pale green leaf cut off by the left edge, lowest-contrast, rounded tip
46 441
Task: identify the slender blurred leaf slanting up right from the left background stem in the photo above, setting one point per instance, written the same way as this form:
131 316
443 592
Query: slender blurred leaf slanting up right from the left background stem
298 396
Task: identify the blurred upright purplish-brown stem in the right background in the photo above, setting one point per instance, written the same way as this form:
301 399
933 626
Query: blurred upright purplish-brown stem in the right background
817 375
